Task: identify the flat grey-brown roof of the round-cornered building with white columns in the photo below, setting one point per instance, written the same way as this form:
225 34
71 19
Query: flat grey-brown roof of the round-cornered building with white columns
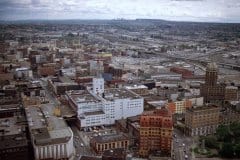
45 127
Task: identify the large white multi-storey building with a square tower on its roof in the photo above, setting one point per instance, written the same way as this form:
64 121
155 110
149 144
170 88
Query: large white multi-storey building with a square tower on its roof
102 107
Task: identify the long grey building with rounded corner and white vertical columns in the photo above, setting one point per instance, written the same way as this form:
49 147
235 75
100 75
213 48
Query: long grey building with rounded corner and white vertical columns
50 136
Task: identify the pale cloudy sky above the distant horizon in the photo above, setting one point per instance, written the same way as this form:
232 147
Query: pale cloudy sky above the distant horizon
177 10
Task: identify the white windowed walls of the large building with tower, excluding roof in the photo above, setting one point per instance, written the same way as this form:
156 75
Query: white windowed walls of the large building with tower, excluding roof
111 111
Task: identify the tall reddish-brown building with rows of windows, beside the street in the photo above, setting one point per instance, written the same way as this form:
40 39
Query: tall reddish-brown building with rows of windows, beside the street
156 132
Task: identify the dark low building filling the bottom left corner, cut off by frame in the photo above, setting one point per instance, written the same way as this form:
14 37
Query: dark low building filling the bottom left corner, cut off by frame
13 134
